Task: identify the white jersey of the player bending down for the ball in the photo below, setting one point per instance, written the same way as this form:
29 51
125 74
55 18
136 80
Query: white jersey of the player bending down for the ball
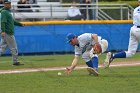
85 43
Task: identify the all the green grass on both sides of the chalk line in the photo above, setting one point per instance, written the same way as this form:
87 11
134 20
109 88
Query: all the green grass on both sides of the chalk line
113 80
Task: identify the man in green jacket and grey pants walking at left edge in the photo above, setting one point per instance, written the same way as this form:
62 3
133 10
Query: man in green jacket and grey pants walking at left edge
7 33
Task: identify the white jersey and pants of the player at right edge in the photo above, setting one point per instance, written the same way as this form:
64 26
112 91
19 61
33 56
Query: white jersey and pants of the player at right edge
134 33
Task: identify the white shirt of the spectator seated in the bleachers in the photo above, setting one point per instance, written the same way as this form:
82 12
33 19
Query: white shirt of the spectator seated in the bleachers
73 11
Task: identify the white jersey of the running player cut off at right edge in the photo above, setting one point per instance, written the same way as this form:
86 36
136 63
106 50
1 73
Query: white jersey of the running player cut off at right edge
136 16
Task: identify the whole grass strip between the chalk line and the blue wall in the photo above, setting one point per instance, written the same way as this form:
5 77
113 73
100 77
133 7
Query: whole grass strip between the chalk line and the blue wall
52 61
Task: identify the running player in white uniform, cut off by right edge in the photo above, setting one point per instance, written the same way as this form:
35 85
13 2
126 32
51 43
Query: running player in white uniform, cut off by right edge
134 40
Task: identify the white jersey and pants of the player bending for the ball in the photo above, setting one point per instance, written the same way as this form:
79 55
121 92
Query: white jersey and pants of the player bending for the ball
85 46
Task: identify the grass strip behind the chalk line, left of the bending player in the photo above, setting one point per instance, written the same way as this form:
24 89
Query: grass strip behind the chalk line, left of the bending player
37 61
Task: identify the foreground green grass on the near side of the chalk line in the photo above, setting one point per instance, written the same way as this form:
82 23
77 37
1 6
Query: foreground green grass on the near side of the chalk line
114 80
